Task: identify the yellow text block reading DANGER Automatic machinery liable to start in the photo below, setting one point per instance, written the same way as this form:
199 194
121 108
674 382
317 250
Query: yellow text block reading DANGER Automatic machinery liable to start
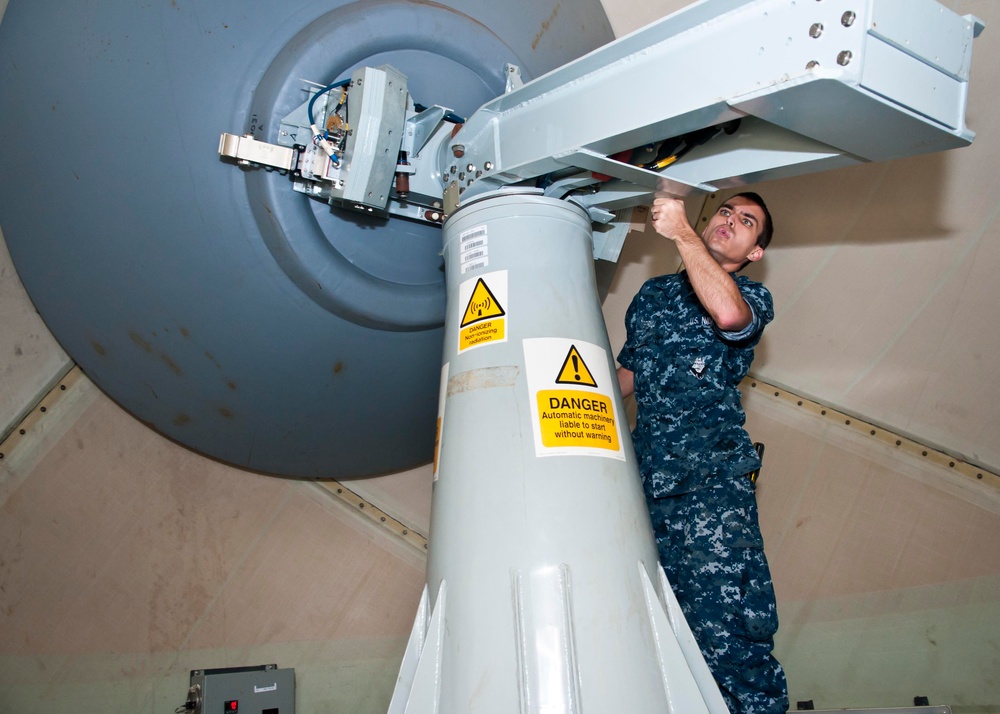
570 417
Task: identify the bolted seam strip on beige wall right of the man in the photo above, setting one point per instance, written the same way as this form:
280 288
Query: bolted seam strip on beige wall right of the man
858 425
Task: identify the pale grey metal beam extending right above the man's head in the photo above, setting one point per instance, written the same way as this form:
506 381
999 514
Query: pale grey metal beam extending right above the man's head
837 83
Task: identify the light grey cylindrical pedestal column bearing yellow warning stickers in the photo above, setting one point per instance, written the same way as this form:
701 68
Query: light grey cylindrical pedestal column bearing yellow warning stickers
539 526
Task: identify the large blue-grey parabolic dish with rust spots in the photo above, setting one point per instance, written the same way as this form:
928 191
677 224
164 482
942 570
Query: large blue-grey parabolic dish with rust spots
182 285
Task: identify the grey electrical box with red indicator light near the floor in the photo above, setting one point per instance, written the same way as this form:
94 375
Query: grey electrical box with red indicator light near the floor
263 689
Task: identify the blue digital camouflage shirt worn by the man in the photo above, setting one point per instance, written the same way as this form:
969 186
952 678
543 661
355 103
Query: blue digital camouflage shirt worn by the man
689 421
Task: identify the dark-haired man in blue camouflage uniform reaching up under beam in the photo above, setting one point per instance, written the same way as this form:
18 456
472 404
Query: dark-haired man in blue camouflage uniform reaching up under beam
690 342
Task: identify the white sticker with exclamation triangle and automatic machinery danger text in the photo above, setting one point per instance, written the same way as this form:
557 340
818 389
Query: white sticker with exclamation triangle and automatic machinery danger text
572 399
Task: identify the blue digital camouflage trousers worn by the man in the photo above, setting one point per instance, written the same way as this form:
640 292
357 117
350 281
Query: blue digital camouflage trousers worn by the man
711 549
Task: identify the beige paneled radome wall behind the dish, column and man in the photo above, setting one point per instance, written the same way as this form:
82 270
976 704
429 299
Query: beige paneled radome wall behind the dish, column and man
127 560
